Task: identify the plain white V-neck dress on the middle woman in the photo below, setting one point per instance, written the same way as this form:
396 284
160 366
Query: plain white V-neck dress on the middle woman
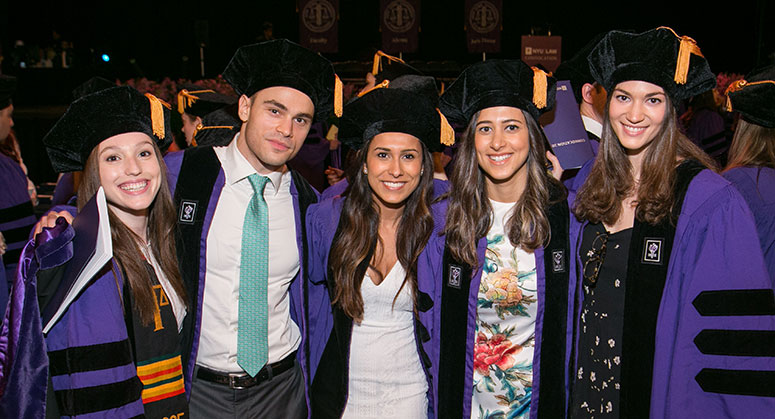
386 377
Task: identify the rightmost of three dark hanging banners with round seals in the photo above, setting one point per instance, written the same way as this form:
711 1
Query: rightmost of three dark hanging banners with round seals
483 25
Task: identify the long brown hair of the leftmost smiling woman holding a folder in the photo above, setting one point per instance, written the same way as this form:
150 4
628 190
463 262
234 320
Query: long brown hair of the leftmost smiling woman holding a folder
126 250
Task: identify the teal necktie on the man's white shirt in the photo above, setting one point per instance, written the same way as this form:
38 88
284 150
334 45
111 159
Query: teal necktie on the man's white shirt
252 348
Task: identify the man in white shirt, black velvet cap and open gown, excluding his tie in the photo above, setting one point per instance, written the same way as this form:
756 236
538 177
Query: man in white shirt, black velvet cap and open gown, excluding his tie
283 88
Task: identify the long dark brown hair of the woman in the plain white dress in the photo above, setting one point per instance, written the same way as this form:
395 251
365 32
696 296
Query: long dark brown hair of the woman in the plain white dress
356 240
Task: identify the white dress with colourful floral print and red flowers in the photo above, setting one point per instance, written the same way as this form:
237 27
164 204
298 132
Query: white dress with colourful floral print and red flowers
505 326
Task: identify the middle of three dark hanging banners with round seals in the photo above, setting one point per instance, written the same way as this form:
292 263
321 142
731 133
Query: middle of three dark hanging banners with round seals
400 25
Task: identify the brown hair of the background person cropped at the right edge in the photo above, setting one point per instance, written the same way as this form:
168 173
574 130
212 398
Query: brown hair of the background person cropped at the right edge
752 145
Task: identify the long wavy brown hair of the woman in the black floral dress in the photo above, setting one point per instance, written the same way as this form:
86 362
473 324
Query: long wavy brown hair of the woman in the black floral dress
611 180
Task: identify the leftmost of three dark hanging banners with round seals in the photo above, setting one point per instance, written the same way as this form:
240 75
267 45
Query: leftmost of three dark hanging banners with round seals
319 25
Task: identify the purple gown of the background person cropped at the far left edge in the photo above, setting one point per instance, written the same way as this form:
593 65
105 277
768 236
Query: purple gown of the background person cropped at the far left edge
17 217
